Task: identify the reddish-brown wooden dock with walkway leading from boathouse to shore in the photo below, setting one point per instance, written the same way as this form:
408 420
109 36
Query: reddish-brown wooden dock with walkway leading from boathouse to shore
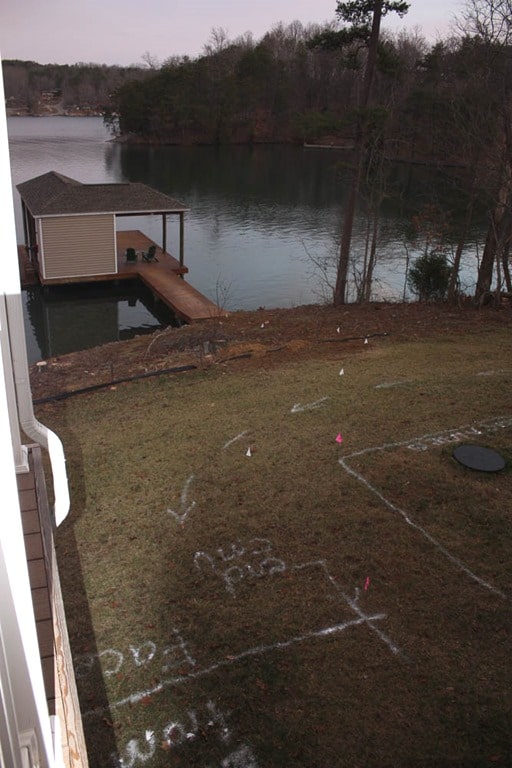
163 277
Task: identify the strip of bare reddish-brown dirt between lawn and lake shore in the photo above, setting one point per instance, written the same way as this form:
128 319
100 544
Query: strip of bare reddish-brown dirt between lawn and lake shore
308 332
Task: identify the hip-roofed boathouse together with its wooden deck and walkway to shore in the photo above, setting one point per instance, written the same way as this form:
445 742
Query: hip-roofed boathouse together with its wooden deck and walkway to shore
72 236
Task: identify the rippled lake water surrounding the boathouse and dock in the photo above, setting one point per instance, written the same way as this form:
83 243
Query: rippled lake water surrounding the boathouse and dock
260 219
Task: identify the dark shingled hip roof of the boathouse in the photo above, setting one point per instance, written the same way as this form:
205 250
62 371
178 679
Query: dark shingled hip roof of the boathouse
54 194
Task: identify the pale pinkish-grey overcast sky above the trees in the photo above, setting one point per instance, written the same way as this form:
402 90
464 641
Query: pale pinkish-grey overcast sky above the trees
122 31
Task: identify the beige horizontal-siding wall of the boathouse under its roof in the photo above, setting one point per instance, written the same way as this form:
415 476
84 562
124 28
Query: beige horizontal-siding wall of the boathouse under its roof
78 246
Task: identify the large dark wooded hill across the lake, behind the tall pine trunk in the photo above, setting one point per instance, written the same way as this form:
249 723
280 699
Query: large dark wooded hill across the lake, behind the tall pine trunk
281 88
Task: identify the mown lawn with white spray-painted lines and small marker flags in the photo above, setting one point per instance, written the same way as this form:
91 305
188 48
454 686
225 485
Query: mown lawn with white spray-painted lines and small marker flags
313 603
